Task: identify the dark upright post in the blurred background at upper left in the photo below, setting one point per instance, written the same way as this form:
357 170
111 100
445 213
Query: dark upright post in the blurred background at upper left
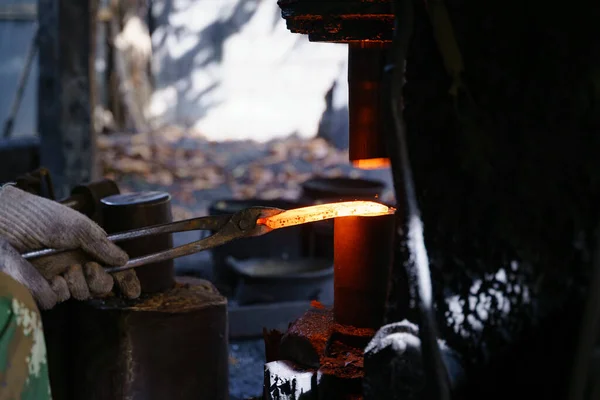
64 90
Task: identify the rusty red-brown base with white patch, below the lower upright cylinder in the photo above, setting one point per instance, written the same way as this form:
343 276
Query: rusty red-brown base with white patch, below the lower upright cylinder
316 347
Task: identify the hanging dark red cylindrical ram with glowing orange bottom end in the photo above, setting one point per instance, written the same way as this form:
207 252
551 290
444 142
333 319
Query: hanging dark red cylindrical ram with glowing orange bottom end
366 62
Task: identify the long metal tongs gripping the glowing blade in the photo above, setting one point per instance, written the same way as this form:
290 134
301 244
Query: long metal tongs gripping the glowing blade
226 228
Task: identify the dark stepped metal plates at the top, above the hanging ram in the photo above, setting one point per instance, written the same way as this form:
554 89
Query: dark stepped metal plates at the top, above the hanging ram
339 21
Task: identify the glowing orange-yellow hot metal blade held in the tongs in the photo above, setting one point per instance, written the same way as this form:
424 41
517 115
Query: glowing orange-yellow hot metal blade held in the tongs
325 211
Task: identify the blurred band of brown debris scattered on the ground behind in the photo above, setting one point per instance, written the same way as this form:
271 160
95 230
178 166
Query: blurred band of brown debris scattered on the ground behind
196 171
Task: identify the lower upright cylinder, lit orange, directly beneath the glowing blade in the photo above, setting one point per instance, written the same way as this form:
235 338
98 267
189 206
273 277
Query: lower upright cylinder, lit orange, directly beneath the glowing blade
363 252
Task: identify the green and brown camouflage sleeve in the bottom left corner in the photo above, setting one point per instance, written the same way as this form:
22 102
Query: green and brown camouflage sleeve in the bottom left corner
23 366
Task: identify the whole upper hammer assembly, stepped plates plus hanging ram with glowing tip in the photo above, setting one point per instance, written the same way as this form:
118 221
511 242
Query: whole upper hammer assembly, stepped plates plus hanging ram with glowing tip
367 27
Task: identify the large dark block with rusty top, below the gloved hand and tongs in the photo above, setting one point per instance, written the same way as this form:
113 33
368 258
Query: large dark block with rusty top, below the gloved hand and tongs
170 345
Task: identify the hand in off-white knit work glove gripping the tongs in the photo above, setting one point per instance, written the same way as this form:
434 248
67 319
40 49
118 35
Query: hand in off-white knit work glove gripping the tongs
29 222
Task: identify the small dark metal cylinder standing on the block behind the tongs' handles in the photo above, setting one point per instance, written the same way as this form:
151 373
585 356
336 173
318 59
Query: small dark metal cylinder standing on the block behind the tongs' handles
124 212
